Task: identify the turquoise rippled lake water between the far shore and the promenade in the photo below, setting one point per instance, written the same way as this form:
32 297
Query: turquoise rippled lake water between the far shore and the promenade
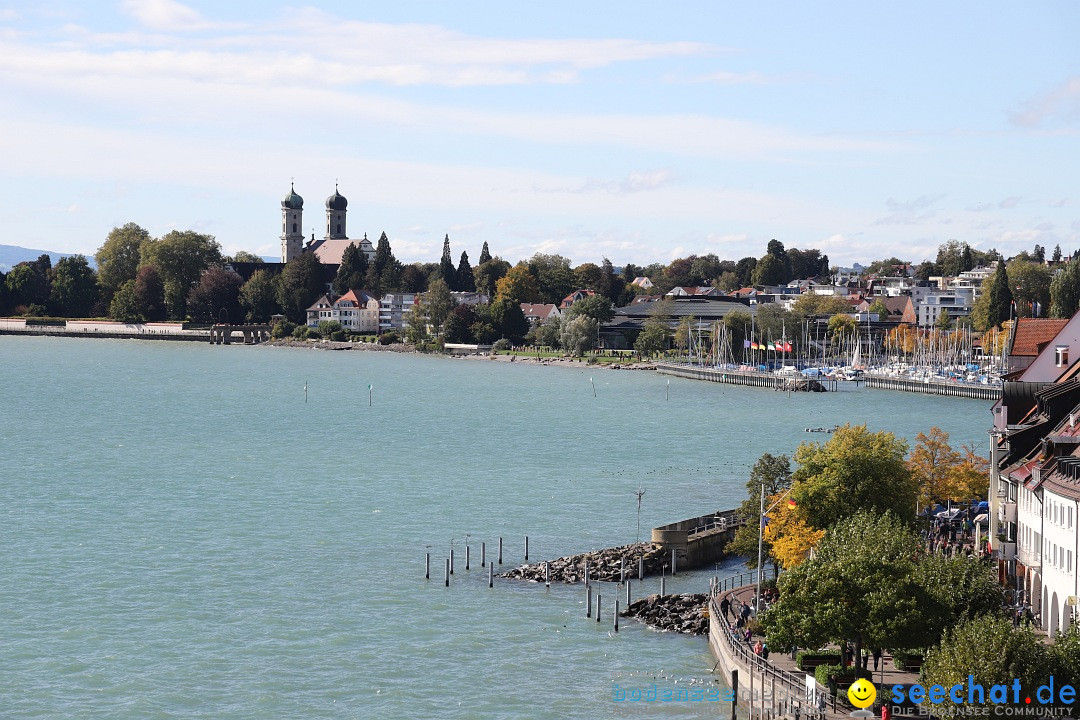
185 536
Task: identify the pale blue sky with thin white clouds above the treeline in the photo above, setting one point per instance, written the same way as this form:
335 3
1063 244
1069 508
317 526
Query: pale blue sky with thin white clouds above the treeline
634 131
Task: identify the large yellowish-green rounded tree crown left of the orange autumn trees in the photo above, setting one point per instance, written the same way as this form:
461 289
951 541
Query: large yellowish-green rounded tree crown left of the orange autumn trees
855 471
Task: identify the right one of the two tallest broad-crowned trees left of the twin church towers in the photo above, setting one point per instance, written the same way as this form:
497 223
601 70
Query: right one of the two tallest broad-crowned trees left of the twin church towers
181 257
